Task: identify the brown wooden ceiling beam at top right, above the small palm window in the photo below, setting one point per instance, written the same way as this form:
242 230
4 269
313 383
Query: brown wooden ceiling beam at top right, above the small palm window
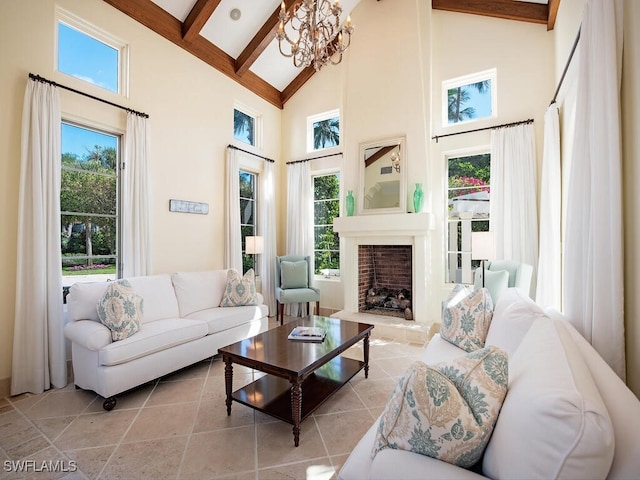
509 9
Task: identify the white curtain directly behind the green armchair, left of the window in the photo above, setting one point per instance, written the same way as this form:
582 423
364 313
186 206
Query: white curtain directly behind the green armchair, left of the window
299 215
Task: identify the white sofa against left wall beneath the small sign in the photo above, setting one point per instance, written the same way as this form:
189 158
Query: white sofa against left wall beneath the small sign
182 324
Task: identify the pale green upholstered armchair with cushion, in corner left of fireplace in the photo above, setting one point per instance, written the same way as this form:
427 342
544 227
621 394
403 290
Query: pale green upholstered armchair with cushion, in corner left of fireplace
293 283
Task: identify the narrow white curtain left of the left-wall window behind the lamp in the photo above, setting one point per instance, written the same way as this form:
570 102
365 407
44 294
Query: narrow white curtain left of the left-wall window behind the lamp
233 234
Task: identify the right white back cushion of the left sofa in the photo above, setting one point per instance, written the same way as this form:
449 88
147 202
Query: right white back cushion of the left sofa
199 290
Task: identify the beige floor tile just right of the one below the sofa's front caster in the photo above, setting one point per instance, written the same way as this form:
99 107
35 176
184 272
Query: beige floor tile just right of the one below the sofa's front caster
162 421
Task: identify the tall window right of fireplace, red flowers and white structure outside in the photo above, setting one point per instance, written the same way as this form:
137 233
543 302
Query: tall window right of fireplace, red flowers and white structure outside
468 203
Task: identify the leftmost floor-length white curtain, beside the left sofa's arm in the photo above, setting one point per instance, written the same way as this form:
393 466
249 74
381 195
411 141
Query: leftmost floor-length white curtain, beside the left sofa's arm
38 340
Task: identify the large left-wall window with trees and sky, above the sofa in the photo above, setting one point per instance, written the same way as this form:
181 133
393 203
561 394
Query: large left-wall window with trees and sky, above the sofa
89 204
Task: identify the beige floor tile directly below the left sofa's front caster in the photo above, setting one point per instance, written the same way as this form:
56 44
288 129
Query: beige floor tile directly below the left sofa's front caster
96 429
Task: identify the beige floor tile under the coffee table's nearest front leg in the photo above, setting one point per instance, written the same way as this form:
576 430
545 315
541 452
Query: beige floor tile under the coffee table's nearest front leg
276 445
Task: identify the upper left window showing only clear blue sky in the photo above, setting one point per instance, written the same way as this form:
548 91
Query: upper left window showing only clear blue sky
90 54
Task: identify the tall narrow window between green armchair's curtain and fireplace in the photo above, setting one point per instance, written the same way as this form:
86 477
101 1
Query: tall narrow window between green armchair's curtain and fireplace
326 206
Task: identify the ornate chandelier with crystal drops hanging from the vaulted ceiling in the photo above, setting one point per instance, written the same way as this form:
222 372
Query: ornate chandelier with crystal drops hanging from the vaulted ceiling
320 38
